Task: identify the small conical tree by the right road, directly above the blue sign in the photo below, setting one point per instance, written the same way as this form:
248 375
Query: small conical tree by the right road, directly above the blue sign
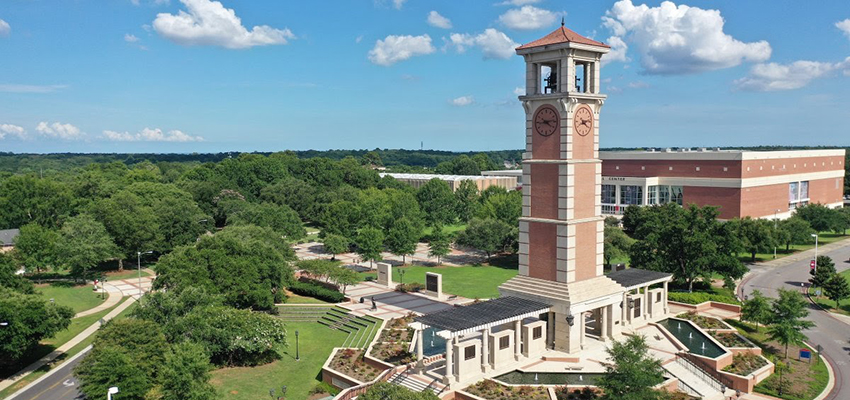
787 323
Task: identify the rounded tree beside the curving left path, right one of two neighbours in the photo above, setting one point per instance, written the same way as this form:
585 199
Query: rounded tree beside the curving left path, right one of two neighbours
84 243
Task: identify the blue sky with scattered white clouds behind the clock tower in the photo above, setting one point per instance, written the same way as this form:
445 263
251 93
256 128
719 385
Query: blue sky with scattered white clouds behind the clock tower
203 76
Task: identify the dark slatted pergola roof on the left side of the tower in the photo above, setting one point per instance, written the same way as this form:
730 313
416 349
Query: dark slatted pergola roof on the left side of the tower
481 315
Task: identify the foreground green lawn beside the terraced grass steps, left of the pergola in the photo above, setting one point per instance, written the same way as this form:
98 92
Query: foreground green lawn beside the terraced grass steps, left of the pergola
250 383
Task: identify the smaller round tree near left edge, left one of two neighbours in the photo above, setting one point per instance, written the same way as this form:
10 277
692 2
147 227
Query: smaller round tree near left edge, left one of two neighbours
35 247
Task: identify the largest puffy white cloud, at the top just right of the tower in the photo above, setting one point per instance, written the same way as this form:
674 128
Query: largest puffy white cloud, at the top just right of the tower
680 39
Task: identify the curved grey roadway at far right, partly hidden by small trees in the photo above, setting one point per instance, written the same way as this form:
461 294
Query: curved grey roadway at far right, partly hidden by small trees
831 333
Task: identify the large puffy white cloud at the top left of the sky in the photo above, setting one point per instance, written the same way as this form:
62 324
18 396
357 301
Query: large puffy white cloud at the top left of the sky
209 23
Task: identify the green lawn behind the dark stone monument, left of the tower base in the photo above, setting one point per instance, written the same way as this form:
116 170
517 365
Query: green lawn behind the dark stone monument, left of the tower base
471 281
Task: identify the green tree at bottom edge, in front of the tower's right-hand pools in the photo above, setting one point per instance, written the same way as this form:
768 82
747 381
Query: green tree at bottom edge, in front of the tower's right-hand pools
631 372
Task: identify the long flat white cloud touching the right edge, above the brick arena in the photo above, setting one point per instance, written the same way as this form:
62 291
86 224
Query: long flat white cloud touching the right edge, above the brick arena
774 76
